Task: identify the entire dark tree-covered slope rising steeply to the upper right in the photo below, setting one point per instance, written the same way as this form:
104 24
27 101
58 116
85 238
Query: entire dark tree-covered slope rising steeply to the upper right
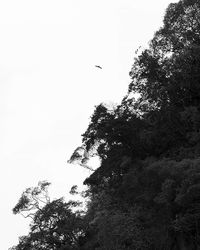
146 193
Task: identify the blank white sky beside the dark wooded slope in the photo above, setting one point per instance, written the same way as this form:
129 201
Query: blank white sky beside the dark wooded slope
49 86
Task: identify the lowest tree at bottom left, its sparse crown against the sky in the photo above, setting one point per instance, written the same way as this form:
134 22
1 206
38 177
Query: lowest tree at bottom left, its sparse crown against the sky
55 224
